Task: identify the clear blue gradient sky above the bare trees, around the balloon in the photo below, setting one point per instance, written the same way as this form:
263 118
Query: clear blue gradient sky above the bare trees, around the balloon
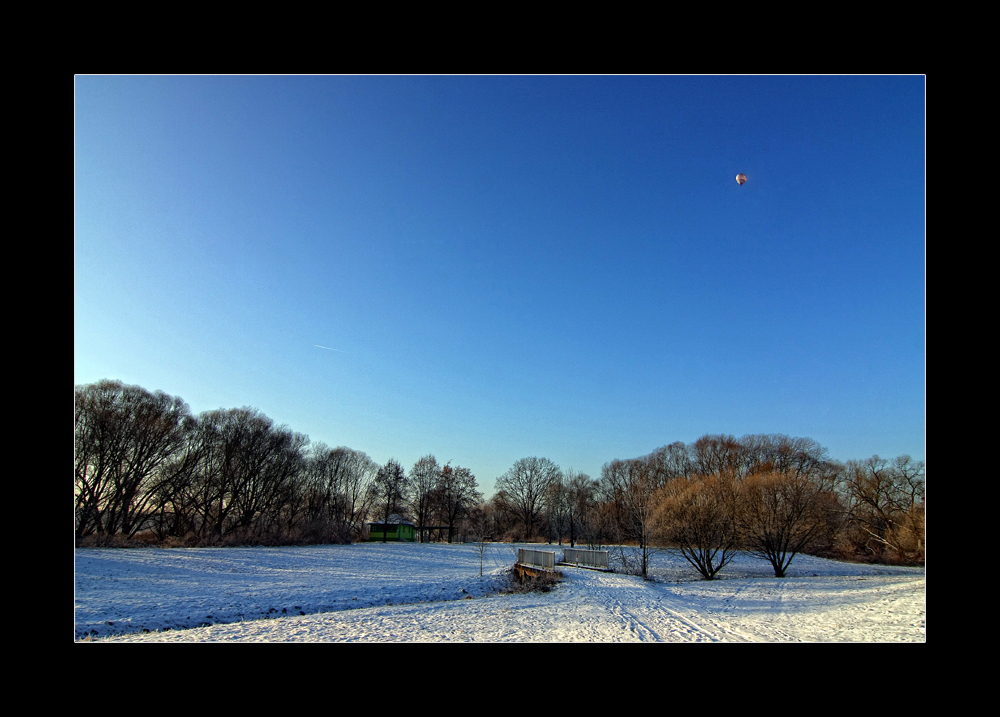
503 267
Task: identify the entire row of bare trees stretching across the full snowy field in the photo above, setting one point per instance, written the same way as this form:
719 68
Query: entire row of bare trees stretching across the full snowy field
145 467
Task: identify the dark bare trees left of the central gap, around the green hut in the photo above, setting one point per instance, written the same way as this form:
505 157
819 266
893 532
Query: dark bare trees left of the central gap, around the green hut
145 464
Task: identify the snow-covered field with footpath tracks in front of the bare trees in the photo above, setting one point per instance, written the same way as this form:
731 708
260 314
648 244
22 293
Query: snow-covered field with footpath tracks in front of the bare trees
433 593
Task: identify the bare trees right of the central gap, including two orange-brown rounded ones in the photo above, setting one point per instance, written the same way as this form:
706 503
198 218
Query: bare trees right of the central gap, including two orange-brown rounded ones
771 495
